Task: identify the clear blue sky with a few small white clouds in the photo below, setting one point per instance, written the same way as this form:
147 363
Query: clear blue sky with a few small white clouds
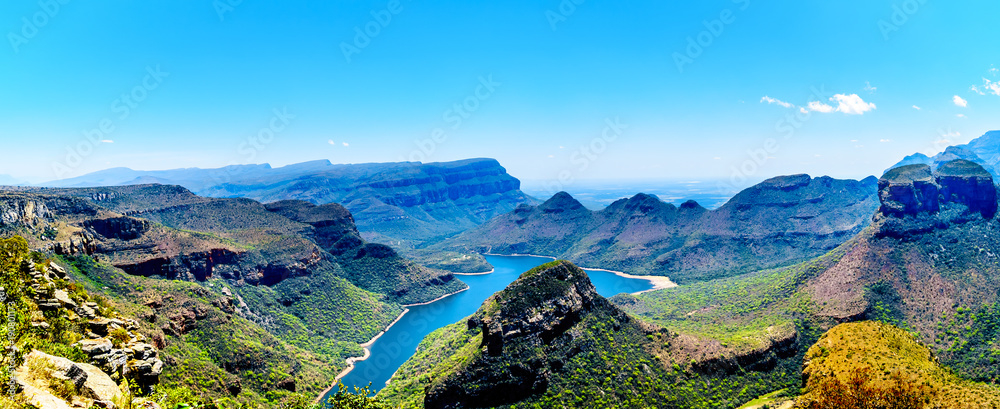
554 89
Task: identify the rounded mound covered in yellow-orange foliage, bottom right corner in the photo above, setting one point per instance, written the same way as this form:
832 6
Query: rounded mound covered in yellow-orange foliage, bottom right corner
890 359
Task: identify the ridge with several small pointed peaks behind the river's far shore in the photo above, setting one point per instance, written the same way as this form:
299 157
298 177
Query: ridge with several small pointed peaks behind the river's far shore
777 222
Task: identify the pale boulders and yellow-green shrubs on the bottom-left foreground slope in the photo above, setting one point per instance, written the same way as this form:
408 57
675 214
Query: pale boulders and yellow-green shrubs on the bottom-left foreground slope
48 309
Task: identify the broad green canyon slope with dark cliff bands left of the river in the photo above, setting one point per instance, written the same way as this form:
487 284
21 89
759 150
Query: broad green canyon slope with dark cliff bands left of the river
294 282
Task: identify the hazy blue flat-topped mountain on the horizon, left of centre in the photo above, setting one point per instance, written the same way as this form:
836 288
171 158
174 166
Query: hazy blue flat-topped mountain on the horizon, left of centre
401 204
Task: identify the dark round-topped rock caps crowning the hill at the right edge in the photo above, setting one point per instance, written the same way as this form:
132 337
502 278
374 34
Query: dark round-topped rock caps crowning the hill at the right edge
913 189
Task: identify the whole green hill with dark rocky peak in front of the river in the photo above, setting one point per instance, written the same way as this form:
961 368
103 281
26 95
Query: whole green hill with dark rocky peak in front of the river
549 340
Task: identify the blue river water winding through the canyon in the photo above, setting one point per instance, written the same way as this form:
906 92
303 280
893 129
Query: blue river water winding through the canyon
401 341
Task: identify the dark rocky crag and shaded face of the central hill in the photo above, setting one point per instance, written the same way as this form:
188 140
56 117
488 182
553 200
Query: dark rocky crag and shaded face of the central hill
525 328
